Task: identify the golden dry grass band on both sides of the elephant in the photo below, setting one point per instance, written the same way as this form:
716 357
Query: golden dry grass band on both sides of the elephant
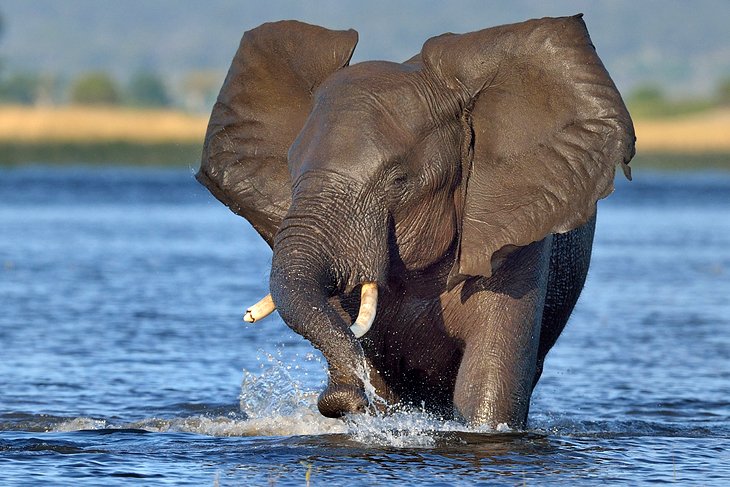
703 133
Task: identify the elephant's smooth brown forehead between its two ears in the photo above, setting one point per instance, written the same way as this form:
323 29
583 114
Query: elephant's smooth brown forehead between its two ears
364 115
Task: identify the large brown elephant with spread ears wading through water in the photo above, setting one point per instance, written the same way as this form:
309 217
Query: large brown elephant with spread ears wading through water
445 205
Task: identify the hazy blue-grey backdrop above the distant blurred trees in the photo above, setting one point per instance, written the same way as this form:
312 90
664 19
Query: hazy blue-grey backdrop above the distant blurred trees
683 44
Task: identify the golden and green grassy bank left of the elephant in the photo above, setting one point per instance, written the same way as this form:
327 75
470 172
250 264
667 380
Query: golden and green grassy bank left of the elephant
99 135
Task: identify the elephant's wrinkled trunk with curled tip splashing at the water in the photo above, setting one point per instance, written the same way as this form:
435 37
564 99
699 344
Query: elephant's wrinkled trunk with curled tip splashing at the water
311 263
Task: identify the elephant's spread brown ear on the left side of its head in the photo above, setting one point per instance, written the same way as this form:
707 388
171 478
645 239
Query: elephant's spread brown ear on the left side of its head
262 106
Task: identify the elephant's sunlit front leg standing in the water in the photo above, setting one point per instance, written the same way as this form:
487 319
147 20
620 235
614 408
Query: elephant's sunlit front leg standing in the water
494 382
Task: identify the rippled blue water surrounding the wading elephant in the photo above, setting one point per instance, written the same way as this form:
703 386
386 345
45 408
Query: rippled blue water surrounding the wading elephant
123 353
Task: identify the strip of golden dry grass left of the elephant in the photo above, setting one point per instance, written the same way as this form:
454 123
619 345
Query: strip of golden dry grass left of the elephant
89 124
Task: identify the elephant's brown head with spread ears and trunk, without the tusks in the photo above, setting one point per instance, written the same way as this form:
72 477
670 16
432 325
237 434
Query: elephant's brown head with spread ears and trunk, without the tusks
432 170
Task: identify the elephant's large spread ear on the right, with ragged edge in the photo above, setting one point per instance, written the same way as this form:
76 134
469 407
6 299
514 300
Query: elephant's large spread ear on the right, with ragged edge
549 128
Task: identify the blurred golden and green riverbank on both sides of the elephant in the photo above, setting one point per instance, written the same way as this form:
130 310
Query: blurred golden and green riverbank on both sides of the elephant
82 135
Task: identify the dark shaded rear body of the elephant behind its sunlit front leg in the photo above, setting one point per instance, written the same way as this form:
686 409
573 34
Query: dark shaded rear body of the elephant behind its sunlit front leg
569 261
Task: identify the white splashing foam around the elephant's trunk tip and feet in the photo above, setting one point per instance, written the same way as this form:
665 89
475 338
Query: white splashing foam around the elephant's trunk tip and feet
276 404
